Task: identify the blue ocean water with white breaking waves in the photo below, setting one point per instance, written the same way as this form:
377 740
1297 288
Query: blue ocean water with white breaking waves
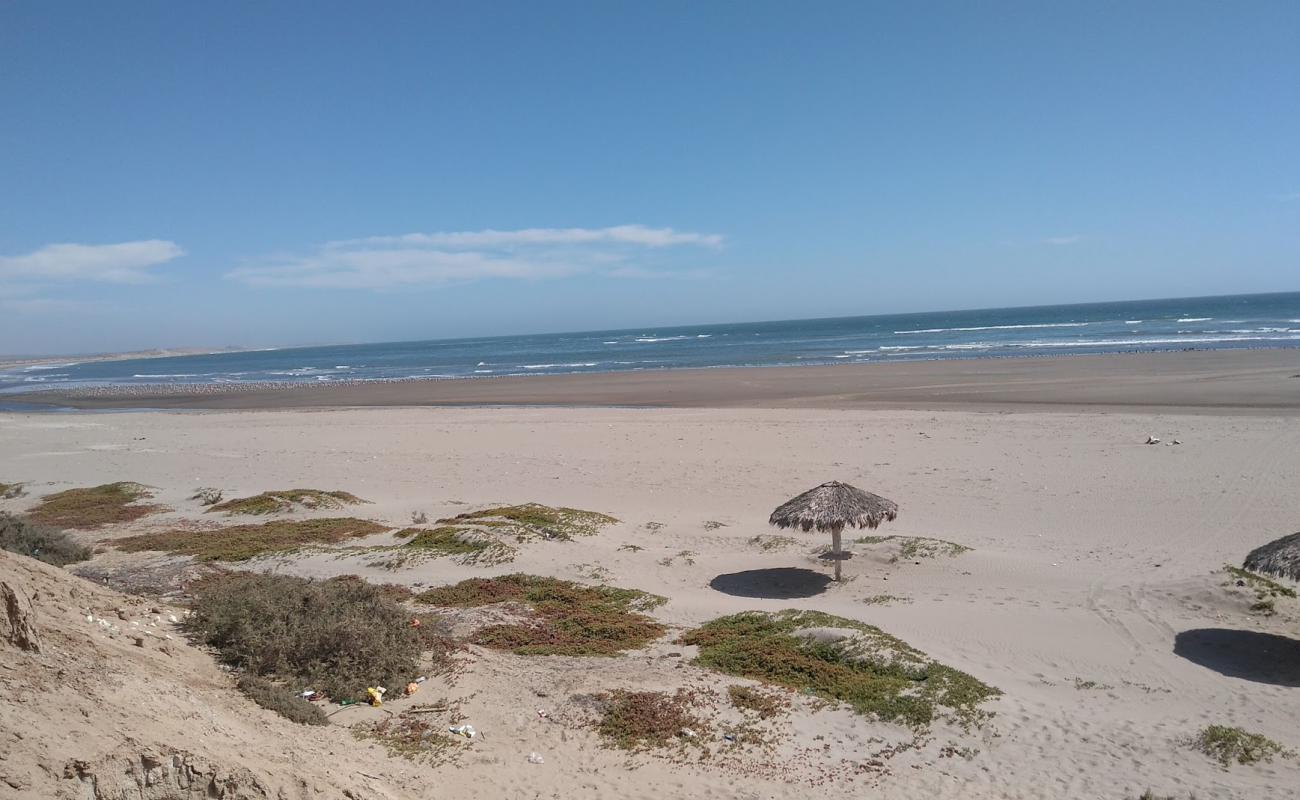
1216 323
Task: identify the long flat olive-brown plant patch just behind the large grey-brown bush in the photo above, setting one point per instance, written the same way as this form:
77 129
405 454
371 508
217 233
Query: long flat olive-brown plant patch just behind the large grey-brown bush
241 543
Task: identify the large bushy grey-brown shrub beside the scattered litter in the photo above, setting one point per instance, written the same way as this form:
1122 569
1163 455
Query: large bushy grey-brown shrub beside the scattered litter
337 637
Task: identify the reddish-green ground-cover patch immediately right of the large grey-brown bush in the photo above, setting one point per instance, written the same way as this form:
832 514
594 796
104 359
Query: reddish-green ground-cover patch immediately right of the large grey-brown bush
565 619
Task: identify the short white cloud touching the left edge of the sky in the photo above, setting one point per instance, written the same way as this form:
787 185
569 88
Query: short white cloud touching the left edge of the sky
120 263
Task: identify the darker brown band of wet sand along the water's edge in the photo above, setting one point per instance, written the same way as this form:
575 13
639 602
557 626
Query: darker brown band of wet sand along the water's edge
1195 382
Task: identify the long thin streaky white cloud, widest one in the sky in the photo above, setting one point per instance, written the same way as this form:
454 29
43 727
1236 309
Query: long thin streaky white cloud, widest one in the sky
432 260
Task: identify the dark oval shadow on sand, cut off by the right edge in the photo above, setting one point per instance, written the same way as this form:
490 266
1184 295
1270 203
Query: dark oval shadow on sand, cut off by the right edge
1247 655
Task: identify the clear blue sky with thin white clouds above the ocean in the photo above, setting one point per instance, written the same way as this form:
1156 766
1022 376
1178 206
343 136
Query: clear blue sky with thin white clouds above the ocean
252 174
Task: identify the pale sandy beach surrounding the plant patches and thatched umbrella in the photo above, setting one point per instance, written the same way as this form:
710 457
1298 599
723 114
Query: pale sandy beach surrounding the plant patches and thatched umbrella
1091 595
